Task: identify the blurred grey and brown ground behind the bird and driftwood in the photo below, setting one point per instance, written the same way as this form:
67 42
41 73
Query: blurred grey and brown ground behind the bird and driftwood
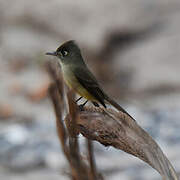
133 47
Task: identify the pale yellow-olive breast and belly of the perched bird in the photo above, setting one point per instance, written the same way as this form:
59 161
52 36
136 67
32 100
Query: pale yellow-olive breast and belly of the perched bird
74 84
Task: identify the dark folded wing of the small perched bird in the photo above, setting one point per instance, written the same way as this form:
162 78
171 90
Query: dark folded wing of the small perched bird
89 82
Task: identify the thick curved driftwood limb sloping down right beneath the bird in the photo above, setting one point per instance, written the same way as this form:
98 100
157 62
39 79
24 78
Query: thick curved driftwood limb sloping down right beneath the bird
116 129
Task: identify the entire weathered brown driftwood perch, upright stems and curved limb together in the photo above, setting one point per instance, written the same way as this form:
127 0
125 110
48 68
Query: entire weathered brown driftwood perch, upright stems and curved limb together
110 128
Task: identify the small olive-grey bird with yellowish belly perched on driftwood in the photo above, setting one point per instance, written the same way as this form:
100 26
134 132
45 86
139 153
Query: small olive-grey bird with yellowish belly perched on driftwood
79 78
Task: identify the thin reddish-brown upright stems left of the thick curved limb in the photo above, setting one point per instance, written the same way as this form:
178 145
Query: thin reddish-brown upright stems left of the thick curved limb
79 169
